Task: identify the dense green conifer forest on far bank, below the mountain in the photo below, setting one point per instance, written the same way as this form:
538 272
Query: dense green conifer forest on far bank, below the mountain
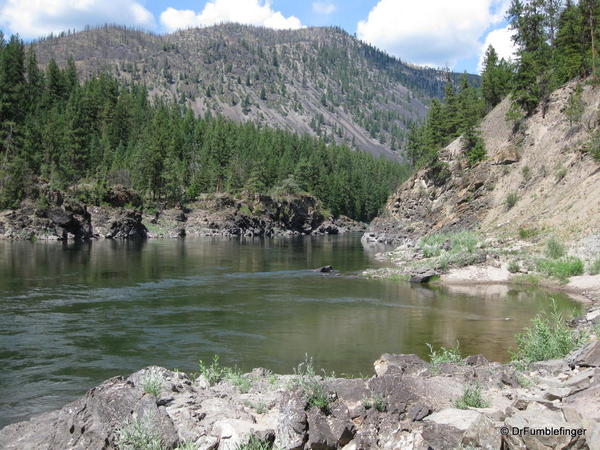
93 134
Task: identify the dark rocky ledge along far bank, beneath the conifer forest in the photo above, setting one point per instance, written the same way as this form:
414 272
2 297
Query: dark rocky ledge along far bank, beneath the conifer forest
122 217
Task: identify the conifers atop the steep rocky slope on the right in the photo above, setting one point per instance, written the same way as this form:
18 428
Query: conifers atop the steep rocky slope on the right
556 41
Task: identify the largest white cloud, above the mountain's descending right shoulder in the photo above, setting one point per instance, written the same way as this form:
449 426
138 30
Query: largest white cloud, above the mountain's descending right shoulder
431 32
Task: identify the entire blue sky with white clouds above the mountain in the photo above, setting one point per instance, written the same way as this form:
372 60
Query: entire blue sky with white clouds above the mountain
438 33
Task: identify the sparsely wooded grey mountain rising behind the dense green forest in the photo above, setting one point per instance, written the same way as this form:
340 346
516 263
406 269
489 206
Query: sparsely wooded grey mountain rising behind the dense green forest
319 81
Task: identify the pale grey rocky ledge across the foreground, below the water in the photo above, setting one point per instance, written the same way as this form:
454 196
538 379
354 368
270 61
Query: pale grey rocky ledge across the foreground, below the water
408 404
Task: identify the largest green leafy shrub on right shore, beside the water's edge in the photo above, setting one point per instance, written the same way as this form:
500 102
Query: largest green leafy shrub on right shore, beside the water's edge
548 337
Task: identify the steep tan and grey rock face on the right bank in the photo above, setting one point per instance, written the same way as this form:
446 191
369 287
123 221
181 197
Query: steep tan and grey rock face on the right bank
554 183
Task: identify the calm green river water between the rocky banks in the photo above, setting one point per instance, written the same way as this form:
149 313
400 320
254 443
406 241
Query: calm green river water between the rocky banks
74 315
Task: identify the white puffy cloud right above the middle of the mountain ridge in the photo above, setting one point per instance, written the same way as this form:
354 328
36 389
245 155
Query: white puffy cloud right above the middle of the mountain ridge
251 12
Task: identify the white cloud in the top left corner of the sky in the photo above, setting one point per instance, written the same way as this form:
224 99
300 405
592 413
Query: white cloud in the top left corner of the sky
34 18
